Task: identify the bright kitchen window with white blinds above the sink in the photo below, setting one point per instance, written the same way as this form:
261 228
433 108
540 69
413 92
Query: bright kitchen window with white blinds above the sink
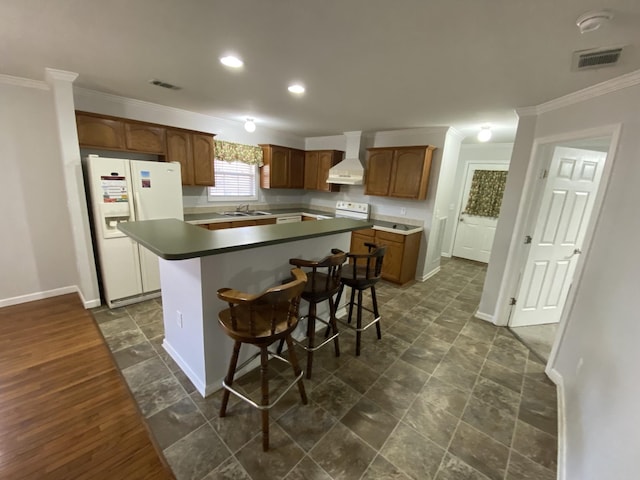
234 181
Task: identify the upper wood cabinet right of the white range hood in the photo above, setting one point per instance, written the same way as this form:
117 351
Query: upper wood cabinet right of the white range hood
401 172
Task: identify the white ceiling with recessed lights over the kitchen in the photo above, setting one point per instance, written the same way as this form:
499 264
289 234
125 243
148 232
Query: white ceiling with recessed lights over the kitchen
367 64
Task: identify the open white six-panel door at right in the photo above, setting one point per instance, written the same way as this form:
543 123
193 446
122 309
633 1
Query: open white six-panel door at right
564 214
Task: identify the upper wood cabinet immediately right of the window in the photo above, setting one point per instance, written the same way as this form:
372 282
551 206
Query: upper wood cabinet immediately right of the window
283 167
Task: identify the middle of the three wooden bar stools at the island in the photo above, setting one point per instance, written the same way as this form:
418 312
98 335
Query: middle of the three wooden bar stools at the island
323 282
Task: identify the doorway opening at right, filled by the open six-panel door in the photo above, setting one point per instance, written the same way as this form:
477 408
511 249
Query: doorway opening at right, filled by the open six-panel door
561 215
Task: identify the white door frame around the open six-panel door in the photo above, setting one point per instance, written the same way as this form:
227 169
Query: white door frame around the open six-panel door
527 213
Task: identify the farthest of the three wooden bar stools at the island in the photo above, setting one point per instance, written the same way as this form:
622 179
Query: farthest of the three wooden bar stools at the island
362 273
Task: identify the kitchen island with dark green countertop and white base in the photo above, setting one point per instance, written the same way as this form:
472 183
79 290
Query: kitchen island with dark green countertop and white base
195 263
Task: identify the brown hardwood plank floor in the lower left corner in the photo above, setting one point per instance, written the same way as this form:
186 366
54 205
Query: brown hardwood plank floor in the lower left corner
65 411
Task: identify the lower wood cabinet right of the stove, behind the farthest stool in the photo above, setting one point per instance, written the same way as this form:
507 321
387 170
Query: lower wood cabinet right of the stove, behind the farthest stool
401 257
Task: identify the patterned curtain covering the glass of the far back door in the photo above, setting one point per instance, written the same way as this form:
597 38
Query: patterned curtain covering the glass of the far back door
485 196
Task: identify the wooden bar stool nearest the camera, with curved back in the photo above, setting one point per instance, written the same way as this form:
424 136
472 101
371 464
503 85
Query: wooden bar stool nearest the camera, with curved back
261 320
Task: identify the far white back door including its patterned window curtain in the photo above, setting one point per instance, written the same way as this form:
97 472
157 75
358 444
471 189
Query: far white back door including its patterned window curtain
475 230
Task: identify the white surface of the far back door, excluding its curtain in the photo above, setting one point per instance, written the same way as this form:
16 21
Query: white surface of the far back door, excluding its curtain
474 234
